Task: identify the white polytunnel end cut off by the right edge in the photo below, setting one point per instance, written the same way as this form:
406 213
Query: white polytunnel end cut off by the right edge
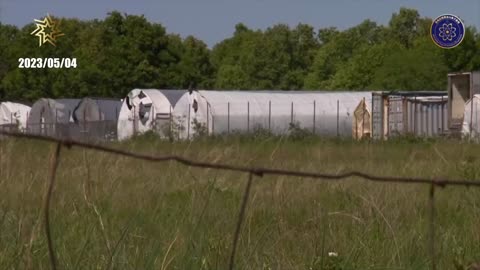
471 117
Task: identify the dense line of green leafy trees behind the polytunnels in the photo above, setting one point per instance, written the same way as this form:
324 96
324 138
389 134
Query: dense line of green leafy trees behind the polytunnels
123 52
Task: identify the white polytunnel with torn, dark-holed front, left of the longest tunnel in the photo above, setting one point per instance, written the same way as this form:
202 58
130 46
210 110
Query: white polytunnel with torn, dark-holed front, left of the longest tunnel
146 109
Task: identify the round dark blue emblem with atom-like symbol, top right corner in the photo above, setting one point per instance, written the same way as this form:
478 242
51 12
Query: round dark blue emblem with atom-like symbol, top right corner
447 31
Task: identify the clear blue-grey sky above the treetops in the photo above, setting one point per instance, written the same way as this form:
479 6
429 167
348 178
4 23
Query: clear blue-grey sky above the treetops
214 20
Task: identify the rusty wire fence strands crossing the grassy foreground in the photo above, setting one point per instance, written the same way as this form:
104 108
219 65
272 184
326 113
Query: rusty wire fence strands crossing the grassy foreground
252 172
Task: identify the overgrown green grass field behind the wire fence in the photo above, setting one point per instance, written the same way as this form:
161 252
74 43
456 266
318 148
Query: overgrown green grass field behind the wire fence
111 212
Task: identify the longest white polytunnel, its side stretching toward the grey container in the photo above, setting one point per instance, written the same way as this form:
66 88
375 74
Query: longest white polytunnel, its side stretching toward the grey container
217 112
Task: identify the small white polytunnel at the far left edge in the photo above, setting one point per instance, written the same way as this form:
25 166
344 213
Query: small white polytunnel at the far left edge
14 115
